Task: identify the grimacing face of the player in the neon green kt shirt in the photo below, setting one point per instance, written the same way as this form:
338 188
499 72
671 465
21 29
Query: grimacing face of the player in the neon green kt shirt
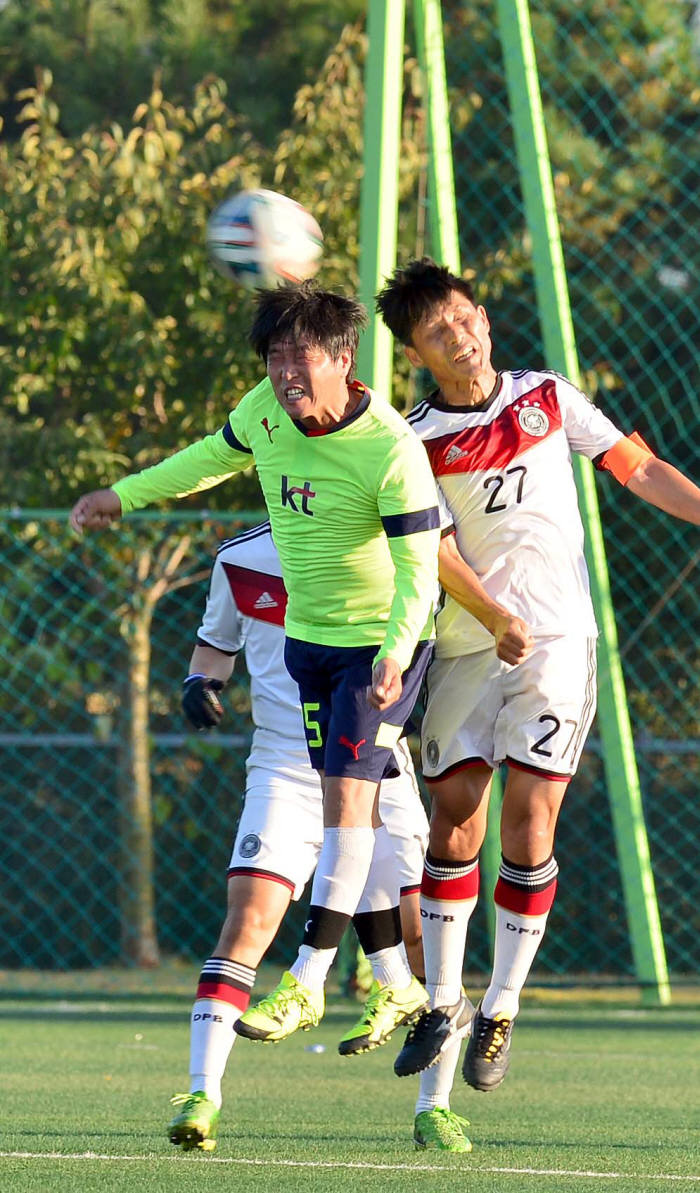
307 380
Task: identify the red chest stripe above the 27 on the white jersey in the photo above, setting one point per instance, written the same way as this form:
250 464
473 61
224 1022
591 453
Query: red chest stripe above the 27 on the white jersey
526 422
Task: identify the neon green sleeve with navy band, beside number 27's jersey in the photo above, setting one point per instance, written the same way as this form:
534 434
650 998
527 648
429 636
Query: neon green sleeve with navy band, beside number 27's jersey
408 508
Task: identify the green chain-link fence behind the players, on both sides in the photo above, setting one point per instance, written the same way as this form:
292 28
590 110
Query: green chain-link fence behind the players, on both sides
117 824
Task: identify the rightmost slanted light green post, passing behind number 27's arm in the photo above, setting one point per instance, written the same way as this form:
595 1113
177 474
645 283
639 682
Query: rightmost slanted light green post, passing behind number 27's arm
621 764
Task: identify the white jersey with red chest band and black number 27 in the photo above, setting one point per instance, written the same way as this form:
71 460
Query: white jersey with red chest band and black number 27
505 471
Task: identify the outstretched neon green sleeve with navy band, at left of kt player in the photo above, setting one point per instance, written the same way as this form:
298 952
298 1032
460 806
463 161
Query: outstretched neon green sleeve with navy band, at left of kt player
202 466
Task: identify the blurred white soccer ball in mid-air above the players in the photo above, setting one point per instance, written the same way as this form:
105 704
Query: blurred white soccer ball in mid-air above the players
262 238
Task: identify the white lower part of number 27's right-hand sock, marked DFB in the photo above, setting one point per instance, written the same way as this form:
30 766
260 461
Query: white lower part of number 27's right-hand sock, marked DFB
518 939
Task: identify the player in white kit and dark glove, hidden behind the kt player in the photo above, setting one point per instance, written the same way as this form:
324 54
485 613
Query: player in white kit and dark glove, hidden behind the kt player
281 831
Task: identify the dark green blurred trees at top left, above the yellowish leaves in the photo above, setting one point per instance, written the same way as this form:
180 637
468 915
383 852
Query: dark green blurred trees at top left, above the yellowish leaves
104 54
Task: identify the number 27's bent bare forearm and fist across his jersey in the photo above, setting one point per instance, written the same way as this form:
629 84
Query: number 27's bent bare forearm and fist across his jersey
515 642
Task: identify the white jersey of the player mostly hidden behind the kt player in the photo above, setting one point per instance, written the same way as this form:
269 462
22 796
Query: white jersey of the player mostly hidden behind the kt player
246 607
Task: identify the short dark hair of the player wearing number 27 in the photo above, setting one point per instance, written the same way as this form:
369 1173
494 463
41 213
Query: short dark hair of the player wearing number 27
412 293
